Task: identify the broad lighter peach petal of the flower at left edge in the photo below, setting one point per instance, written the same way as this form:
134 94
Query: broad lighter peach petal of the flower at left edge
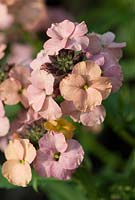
9 91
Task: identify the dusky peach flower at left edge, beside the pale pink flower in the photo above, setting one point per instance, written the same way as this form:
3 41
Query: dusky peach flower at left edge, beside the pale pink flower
13 89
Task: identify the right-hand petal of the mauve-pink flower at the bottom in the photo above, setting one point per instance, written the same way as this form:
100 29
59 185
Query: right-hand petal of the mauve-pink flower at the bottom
73 156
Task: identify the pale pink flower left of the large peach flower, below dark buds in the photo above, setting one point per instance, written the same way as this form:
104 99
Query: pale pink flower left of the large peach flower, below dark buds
40 95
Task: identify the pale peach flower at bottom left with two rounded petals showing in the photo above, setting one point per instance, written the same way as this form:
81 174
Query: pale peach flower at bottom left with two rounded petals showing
19 155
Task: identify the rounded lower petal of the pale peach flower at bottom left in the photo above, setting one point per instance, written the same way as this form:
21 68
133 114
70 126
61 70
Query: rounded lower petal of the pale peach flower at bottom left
17 173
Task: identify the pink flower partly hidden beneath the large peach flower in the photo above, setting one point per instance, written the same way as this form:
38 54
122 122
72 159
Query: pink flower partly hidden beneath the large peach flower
92 118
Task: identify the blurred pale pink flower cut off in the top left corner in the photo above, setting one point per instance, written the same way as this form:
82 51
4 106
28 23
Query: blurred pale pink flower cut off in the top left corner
5 18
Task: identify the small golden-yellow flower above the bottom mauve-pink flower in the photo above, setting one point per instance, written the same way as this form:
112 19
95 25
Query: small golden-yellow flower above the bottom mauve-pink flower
61 126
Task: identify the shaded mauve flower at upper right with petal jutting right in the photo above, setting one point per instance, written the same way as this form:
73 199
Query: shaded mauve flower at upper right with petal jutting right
105 42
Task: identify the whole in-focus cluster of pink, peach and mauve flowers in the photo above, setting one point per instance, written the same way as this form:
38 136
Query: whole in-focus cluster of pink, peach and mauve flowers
71 76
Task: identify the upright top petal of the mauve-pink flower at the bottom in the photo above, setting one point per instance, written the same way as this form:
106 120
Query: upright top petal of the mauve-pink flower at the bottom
60 142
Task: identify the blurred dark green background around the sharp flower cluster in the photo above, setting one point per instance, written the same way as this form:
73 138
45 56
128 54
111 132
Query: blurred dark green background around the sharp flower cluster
108 172
